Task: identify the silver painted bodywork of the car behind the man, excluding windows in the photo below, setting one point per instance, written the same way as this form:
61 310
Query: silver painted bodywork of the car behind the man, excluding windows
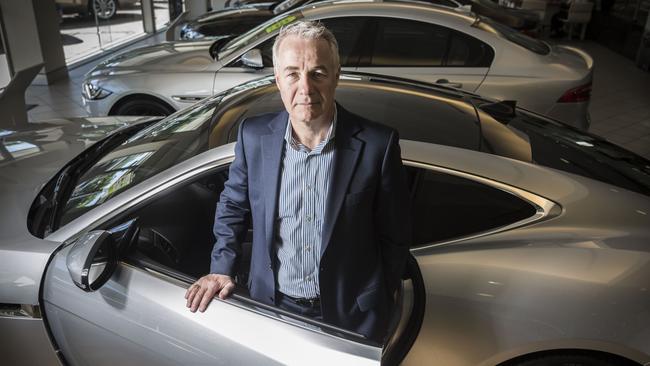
177 69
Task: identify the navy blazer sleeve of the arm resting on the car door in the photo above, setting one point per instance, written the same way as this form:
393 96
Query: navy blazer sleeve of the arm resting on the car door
232 213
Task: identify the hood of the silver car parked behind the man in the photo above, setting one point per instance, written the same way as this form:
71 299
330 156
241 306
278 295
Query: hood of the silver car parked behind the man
168 56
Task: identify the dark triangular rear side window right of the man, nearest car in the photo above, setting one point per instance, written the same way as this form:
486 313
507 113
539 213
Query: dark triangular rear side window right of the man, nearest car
447 207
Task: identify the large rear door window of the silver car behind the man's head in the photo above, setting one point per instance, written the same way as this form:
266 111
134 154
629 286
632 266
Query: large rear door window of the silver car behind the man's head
401 42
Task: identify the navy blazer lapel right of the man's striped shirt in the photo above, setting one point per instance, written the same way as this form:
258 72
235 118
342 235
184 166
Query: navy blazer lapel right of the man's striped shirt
346 155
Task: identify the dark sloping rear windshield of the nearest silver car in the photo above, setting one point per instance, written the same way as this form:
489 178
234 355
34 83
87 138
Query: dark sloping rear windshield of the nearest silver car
562 147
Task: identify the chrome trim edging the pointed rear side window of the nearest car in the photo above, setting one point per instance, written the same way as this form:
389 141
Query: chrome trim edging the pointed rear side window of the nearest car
545 208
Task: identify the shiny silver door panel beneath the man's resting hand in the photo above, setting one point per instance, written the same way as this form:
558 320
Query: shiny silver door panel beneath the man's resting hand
138 318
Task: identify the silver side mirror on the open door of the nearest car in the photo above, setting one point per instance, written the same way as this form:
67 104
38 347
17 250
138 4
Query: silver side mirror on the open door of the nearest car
92 260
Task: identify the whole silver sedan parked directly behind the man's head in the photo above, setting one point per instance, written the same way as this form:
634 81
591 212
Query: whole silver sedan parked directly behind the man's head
415 41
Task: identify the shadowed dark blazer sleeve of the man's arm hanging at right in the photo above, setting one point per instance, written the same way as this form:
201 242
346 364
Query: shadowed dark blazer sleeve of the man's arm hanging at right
393 214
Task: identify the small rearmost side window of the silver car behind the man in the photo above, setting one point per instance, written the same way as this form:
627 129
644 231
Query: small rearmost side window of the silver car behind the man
467 51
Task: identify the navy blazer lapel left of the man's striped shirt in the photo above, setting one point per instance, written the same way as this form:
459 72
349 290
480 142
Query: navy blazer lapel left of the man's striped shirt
272 149
